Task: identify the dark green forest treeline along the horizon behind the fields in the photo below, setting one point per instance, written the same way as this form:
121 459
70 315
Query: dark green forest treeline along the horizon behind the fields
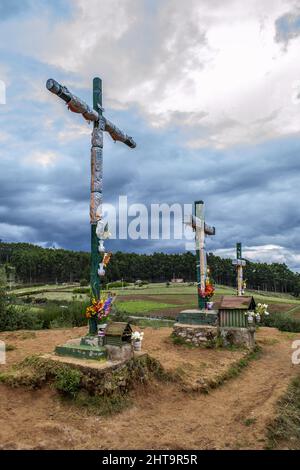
33 264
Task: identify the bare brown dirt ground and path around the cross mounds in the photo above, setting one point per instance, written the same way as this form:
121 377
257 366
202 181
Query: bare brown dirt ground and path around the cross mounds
163 416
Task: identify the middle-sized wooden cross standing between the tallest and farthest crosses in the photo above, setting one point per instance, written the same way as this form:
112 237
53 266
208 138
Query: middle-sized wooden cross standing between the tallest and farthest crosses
201 229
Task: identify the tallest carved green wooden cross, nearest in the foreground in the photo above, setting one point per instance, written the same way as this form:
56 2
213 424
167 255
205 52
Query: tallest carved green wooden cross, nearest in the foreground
99 229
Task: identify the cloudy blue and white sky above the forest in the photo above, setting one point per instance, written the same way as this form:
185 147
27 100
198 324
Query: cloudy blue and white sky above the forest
210 91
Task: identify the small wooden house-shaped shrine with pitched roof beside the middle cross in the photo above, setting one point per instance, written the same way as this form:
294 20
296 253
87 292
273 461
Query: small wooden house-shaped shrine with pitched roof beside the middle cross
233 311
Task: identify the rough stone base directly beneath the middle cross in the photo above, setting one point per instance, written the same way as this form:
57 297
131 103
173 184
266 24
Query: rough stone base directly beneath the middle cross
195 334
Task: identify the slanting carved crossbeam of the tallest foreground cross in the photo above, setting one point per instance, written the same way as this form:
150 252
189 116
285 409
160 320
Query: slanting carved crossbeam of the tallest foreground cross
76 105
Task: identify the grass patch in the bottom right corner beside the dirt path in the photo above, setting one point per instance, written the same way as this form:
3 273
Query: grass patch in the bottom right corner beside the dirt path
284 431
